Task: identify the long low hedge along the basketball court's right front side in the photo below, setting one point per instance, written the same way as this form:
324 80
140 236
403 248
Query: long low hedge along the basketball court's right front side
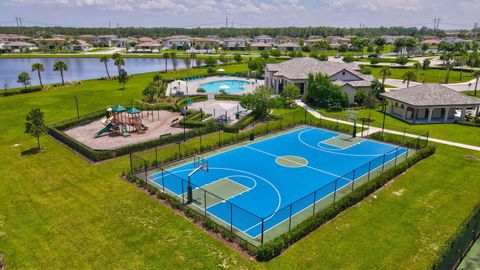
274 247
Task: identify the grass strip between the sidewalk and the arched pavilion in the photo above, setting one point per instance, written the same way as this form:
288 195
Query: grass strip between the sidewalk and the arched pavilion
450 132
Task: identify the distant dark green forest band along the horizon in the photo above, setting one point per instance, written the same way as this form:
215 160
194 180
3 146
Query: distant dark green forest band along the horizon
154 32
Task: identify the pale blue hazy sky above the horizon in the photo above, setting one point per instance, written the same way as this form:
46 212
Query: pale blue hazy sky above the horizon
192 13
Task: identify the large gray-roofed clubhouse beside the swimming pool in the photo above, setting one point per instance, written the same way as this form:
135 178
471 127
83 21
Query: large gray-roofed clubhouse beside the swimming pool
296 71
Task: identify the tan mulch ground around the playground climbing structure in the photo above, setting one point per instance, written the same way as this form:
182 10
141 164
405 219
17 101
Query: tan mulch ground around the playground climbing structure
158 123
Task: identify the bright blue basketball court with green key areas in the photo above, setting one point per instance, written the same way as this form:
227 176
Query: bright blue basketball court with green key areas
270 185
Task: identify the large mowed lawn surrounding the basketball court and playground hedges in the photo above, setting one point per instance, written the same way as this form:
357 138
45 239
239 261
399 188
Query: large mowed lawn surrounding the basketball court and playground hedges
59 211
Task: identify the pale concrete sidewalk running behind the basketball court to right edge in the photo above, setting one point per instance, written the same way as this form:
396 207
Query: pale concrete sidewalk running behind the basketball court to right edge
371 130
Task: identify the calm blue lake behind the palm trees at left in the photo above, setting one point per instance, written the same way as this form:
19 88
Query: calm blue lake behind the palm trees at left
78 68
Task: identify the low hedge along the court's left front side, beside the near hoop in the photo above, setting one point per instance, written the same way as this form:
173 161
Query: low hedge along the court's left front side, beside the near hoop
197 218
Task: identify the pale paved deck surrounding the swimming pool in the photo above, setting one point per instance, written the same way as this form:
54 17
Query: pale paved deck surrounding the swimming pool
190 87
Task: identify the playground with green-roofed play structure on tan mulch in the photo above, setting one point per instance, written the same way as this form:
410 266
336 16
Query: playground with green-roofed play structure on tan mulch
122 126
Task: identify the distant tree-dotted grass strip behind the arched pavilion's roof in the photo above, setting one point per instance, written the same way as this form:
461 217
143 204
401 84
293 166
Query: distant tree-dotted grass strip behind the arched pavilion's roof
429 76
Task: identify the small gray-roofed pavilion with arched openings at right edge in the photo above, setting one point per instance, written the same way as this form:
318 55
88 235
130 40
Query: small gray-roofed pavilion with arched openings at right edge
430 103
